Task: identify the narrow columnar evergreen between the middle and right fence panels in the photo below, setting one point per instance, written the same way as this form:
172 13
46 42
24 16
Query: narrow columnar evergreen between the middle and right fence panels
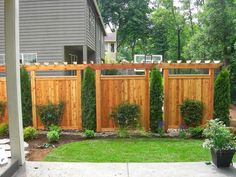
156 100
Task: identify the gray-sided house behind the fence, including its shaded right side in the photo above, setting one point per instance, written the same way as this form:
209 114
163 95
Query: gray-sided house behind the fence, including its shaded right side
55 29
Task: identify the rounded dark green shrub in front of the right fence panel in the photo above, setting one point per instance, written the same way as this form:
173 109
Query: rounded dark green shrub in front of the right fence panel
192 112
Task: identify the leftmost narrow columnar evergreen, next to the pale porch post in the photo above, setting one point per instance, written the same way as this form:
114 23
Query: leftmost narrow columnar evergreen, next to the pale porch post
26 98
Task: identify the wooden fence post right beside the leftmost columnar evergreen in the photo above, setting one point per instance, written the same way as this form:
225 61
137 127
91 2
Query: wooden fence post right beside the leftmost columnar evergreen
33 97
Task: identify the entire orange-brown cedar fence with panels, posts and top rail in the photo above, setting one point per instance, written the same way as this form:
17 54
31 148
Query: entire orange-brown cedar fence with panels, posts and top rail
112 90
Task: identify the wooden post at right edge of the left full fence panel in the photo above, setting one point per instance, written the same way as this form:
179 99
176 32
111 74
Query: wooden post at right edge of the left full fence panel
79 113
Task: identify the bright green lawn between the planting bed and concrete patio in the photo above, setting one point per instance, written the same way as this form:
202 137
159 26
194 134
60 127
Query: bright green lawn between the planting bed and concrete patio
131 150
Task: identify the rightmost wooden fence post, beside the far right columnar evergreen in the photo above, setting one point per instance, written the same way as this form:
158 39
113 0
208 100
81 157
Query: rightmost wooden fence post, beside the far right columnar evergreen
211 106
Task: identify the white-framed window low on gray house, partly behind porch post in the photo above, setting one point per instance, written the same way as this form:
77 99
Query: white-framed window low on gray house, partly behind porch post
24 58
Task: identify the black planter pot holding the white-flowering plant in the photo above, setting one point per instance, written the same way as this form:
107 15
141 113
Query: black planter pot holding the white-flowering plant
222 158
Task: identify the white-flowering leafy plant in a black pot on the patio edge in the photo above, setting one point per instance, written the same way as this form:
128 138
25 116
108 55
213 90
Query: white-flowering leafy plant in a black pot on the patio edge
221 142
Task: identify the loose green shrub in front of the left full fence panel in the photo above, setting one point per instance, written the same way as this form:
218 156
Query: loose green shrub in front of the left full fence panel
51 113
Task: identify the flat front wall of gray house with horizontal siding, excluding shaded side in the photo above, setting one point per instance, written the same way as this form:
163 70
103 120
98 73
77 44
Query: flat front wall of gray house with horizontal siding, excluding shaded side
46 26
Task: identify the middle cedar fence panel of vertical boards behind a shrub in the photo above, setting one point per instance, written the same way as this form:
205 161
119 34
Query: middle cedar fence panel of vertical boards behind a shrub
118 89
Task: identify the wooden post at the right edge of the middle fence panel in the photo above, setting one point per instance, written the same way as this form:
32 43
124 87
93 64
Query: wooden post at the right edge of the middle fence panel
147 116
